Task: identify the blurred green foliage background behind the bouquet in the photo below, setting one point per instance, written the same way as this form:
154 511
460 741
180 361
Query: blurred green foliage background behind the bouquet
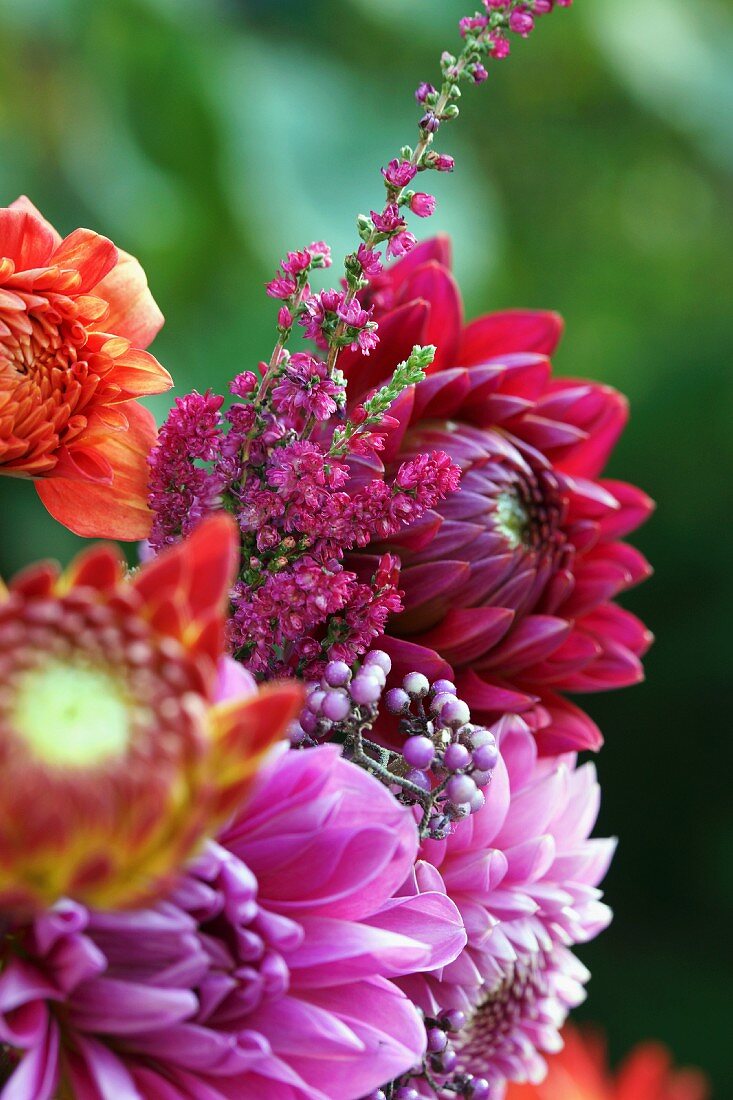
595 178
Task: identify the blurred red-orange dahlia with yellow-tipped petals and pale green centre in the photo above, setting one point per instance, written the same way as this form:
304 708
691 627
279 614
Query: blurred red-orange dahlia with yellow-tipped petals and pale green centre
126 738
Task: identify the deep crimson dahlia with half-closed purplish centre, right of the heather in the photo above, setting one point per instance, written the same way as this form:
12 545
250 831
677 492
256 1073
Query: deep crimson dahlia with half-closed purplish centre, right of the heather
512 580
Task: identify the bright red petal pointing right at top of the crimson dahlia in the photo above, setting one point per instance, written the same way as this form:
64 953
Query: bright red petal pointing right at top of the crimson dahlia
515 331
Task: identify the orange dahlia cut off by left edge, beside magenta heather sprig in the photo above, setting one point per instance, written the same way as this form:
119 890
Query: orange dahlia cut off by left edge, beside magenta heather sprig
75 318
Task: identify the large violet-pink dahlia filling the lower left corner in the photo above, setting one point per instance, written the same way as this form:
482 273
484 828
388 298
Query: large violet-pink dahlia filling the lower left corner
267 974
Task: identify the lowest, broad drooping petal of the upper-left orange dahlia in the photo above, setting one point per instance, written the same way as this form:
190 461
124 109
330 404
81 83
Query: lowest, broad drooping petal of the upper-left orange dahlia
116 512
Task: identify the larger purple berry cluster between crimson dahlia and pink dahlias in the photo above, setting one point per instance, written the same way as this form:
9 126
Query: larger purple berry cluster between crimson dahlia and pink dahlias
446 761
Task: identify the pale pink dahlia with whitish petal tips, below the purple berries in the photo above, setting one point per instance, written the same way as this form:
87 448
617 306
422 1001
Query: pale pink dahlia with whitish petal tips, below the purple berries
526 878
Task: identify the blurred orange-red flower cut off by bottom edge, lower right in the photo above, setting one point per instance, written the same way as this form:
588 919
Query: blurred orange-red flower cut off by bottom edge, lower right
579 1073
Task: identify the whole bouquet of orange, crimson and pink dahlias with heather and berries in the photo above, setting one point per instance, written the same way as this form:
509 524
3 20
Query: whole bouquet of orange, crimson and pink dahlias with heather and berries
293 809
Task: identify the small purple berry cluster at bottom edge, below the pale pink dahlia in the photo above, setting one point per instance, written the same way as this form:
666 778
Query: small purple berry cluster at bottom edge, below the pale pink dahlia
439 1069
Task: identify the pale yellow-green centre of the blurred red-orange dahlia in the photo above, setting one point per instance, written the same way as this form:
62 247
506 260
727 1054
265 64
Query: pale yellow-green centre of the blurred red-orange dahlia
73 716
